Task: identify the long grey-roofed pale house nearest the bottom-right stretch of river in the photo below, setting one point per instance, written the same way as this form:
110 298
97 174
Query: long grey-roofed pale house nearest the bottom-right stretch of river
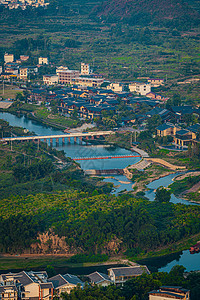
122 274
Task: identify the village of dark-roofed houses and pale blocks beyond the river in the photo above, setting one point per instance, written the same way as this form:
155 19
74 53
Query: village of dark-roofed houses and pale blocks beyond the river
92 99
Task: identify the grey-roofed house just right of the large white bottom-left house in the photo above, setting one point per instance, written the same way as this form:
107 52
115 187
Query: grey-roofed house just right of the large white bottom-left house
65 283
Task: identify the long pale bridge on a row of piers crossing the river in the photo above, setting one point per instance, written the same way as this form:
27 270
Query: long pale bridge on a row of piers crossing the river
80 136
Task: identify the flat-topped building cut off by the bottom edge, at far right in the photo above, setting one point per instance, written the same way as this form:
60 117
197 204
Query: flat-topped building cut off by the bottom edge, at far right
170 293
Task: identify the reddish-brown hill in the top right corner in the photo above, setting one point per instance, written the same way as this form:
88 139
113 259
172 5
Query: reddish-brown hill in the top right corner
163 12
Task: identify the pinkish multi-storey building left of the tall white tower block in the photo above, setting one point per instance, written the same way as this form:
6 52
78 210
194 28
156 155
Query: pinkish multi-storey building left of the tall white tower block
66 76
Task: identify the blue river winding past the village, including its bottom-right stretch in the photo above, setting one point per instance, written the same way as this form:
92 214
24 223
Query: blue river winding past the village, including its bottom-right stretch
191 262
